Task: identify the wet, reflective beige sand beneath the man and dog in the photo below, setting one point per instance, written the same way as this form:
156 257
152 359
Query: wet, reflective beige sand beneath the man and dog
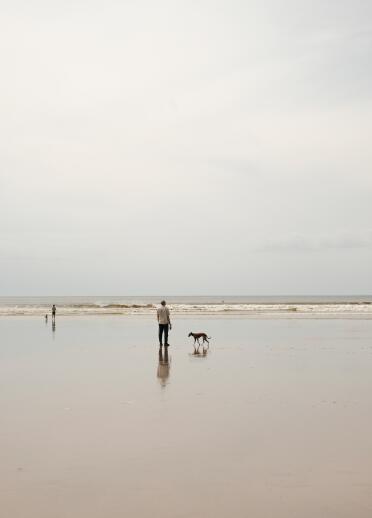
274 421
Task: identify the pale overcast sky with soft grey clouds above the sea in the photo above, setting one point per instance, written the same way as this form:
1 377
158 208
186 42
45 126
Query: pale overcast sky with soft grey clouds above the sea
185 147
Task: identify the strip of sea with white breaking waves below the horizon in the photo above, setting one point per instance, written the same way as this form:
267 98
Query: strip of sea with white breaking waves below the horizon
358 306
